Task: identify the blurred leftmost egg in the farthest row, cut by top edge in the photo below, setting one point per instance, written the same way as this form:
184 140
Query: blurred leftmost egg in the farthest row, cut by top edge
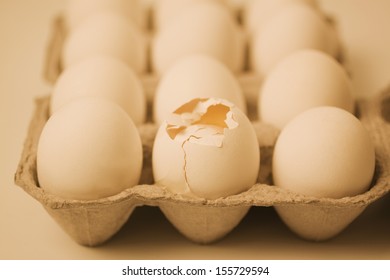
78 10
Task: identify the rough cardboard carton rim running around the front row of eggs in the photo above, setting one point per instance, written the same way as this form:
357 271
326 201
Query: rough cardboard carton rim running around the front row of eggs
258 195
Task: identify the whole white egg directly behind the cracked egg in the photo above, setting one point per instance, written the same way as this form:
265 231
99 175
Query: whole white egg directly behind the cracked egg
195 76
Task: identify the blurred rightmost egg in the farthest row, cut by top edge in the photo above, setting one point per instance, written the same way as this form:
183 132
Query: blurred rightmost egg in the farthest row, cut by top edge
258 12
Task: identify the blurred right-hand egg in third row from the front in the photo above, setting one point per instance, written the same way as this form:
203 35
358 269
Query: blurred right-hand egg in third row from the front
293 28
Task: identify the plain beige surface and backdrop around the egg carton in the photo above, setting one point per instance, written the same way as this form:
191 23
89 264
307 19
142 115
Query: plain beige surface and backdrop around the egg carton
28 232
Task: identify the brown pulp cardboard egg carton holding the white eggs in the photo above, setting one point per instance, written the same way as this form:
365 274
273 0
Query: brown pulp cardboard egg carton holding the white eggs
200 220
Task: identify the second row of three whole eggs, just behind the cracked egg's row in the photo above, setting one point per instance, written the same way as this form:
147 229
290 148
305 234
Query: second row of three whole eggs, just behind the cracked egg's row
302 80
